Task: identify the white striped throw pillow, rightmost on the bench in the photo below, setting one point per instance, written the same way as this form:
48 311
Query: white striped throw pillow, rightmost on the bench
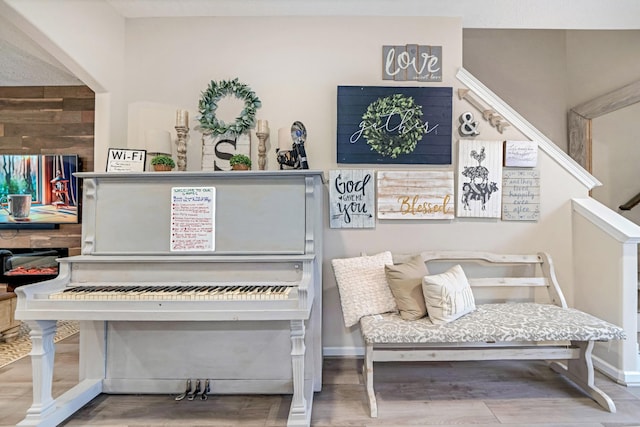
447 296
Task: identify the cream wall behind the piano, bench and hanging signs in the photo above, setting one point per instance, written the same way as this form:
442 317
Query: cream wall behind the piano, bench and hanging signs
295 65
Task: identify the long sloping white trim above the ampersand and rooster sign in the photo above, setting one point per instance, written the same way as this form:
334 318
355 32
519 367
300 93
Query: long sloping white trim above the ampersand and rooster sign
515 119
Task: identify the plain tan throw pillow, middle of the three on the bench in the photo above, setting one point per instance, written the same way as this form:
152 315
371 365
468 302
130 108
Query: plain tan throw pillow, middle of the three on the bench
405 281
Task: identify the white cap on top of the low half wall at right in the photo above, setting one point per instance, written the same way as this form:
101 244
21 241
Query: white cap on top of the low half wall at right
607 220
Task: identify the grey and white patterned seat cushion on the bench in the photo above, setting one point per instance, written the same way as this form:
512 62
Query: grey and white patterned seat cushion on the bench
492 323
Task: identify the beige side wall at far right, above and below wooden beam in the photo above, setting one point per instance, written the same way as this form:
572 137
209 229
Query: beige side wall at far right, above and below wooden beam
600 62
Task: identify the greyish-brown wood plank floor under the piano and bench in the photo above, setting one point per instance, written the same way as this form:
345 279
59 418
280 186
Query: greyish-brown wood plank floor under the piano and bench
478 394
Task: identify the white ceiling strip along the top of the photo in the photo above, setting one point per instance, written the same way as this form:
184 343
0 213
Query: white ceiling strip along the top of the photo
590 14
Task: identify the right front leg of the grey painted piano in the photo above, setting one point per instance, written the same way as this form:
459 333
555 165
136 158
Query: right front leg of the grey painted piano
300 412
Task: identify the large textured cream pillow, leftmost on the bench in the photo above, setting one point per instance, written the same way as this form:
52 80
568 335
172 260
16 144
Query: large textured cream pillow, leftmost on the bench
363 286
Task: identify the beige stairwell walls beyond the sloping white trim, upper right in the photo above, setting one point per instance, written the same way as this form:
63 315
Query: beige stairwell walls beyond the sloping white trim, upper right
543 74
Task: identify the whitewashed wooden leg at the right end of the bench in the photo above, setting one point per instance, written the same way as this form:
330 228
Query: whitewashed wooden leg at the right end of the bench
580 371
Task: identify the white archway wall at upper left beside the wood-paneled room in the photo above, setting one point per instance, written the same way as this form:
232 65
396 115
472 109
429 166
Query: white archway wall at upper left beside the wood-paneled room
87 38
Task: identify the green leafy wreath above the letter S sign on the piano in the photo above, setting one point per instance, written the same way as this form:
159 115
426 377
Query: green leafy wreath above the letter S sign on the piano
208 105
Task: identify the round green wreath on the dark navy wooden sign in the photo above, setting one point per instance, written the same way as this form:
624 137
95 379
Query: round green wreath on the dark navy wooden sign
382 136
